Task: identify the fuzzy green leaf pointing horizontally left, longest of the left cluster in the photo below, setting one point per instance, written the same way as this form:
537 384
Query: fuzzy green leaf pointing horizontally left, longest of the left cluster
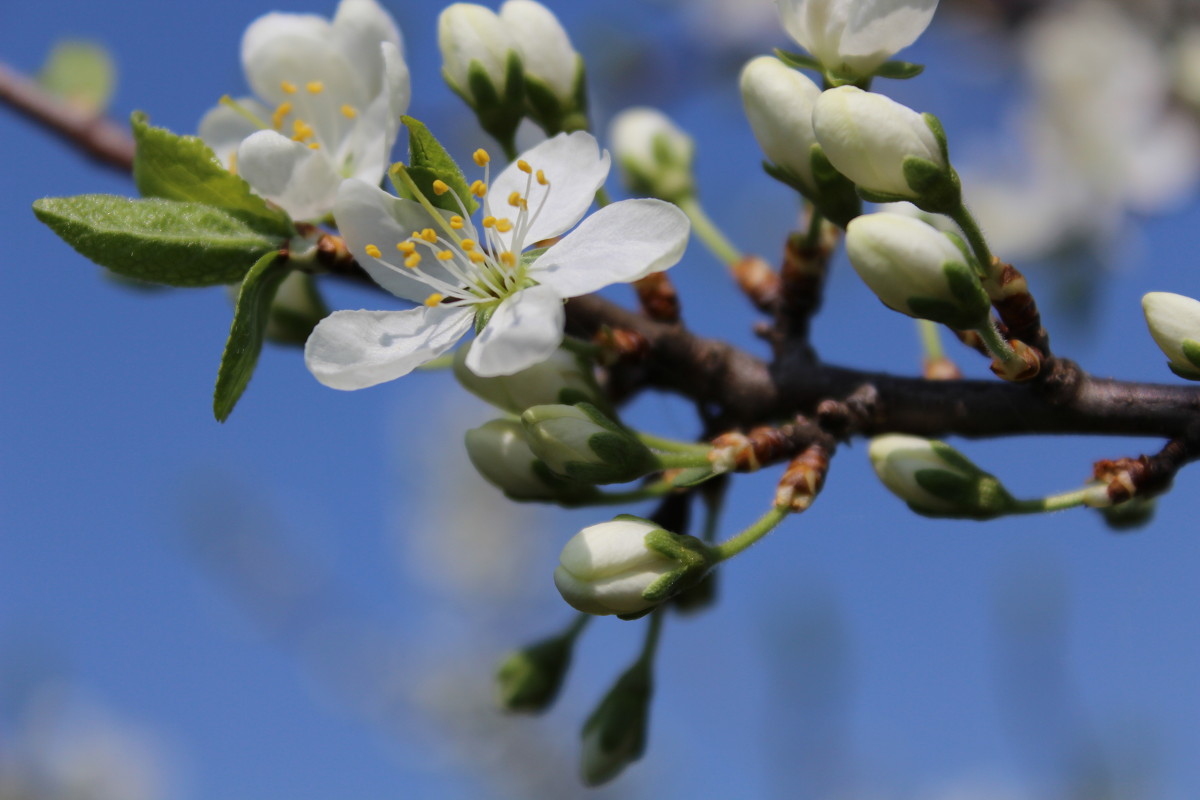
155 240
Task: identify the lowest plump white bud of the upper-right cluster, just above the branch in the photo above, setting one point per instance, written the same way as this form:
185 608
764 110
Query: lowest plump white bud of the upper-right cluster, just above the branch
917 270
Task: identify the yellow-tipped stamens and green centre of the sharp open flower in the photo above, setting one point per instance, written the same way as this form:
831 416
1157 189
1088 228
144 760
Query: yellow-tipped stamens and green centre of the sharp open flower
475 266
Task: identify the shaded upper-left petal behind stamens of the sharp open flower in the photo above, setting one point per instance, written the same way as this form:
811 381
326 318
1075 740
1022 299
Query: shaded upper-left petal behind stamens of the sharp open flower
367 215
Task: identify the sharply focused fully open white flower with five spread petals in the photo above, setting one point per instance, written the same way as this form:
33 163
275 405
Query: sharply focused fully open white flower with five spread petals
466 275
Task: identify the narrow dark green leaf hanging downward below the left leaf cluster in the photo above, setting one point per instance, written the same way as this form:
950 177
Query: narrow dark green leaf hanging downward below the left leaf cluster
250 320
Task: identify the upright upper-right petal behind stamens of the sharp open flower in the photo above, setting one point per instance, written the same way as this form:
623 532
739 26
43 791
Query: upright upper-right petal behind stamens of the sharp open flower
575 169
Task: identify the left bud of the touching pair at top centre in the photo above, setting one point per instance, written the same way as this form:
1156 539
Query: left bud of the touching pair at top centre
482 63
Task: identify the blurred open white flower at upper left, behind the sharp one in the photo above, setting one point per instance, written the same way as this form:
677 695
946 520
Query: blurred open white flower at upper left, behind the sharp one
332 97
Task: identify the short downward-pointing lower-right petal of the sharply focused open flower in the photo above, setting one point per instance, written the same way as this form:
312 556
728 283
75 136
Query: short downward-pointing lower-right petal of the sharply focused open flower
525 330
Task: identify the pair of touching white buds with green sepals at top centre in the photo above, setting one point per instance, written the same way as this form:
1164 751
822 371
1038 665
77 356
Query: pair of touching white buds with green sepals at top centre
514 64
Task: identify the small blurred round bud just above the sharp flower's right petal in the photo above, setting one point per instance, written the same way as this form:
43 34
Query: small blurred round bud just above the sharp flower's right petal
653 154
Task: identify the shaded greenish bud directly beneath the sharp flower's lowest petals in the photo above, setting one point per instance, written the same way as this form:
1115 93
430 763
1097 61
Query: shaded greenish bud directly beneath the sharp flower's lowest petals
562 378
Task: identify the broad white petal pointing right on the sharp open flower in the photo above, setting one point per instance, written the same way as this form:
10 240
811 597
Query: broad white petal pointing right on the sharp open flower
620 243
